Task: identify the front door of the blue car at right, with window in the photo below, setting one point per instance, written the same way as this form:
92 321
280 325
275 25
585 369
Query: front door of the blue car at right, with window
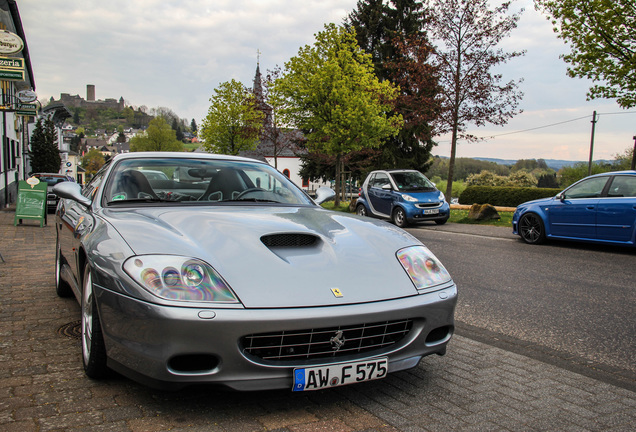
574 214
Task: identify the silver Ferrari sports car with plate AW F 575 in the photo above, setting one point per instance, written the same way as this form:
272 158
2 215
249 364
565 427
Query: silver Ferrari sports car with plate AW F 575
225 272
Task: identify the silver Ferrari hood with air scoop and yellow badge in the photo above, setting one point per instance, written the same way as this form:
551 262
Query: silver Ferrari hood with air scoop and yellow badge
278 256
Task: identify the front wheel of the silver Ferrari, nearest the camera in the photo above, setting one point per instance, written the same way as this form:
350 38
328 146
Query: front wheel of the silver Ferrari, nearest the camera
93 348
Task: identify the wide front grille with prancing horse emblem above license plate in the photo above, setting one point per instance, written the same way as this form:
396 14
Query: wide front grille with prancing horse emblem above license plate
325 343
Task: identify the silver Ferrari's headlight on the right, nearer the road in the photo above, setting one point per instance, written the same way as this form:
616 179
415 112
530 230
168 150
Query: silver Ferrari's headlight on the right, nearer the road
423 267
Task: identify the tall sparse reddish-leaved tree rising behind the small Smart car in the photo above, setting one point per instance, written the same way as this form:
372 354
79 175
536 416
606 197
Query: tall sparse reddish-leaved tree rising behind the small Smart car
468 32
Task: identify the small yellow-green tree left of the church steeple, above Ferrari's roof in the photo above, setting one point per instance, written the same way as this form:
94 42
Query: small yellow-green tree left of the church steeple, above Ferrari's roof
234 122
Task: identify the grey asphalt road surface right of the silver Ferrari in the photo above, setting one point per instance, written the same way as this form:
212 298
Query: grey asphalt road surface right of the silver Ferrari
572 301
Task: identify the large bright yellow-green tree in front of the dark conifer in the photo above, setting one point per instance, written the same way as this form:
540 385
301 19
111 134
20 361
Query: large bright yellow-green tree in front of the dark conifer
331 93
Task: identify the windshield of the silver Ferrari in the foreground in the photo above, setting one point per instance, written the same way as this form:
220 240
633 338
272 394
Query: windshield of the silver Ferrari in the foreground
197 180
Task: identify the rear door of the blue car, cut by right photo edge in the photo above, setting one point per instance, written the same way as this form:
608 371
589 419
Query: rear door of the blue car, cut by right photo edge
616 213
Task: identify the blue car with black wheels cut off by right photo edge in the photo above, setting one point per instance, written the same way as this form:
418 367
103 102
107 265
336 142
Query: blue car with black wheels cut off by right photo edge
600 209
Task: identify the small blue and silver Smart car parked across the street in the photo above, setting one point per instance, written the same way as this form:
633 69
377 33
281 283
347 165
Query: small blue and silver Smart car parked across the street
403 196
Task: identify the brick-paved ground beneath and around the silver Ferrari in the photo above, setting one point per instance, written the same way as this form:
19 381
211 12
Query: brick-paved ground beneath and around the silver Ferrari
476 386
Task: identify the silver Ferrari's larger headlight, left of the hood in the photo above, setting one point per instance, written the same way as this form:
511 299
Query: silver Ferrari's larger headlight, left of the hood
179 278
